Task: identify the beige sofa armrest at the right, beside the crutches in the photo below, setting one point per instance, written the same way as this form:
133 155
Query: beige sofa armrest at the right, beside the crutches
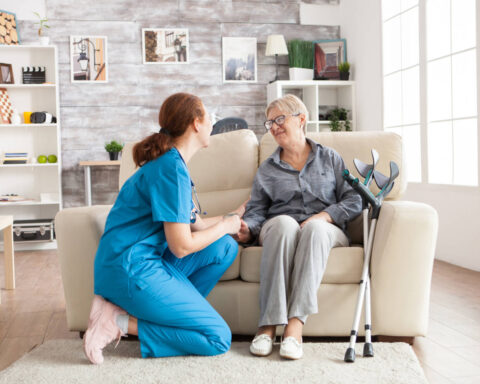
401 267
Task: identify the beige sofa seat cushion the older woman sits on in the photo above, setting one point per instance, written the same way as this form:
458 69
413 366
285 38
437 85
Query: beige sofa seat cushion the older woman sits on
344 265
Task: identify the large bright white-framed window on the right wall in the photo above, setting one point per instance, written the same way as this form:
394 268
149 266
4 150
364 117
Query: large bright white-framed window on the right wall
448 119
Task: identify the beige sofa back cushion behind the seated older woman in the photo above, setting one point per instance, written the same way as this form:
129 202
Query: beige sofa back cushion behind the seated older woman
352 145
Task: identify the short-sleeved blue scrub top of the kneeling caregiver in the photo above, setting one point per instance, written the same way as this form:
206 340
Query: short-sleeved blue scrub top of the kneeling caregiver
134 236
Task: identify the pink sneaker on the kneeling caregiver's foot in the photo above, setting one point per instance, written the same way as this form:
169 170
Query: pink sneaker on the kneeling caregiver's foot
102 328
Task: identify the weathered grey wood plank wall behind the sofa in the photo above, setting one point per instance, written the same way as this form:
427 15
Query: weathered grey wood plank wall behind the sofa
126 108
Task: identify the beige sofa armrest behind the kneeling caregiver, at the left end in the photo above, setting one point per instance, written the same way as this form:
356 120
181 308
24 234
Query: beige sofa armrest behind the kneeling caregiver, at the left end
78 232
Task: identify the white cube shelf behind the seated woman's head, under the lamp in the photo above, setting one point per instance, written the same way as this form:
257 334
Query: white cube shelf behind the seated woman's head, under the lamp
319 96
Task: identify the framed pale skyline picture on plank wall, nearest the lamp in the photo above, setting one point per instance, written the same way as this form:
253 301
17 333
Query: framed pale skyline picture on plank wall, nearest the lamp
239 57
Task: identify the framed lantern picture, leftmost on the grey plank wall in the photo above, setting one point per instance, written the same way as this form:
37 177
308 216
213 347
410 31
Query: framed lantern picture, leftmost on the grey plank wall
88 59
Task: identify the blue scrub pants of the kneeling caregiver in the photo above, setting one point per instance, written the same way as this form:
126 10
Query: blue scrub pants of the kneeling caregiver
174 318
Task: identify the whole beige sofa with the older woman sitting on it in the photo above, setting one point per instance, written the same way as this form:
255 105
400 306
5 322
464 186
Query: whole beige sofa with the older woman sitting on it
401 264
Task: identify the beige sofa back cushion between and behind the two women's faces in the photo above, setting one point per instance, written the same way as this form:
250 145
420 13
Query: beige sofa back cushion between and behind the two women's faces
223 172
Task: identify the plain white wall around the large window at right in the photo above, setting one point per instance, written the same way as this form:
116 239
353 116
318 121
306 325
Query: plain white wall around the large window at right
458 208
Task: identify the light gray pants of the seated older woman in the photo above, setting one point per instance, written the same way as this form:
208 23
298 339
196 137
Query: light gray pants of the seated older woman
292 267
